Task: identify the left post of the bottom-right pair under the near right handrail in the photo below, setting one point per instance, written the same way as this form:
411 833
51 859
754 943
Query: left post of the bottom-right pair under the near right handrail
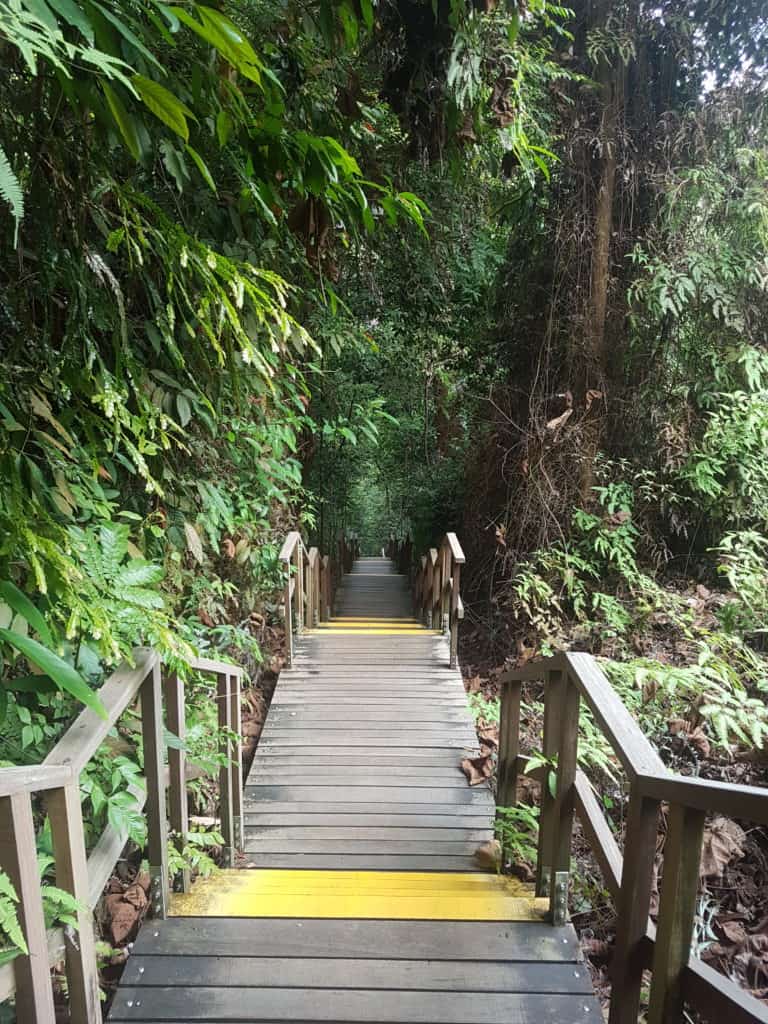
633 907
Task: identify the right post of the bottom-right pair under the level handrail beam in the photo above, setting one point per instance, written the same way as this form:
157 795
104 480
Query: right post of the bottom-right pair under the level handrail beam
677 913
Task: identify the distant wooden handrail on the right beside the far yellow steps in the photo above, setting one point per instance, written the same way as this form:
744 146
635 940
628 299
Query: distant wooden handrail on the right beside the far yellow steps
437 586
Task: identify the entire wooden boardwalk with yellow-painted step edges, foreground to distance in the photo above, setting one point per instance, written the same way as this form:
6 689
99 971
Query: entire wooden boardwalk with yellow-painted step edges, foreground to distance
363 902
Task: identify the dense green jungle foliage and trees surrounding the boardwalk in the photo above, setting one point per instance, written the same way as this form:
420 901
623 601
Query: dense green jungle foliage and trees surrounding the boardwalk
404 266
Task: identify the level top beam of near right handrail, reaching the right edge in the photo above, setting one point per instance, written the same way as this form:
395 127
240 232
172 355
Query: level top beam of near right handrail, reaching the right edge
747 802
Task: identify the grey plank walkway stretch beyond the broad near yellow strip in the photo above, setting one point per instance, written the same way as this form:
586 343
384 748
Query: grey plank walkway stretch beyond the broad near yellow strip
358 766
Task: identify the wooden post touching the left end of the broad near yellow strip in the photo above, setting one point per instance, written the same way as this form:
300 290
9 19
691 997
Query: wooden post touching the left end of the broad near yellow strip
157 827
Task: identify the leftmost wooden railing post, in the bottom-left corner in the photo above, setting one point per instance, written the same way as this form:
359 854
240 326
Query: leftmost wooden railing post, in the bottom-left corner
19 861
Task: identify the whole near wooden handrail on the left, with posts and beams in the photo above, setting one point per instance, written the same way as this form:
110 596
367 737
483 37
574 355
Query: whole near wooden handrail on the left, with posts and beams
28 976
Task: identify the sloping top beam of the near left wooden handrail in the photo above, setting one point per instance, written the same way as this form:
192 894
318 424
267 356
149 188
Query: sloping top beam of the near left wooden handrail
90 731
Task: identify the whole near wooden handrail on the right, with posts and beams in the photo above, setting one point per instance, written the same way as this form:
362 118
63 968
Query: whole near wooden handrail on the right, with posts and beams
676 976
